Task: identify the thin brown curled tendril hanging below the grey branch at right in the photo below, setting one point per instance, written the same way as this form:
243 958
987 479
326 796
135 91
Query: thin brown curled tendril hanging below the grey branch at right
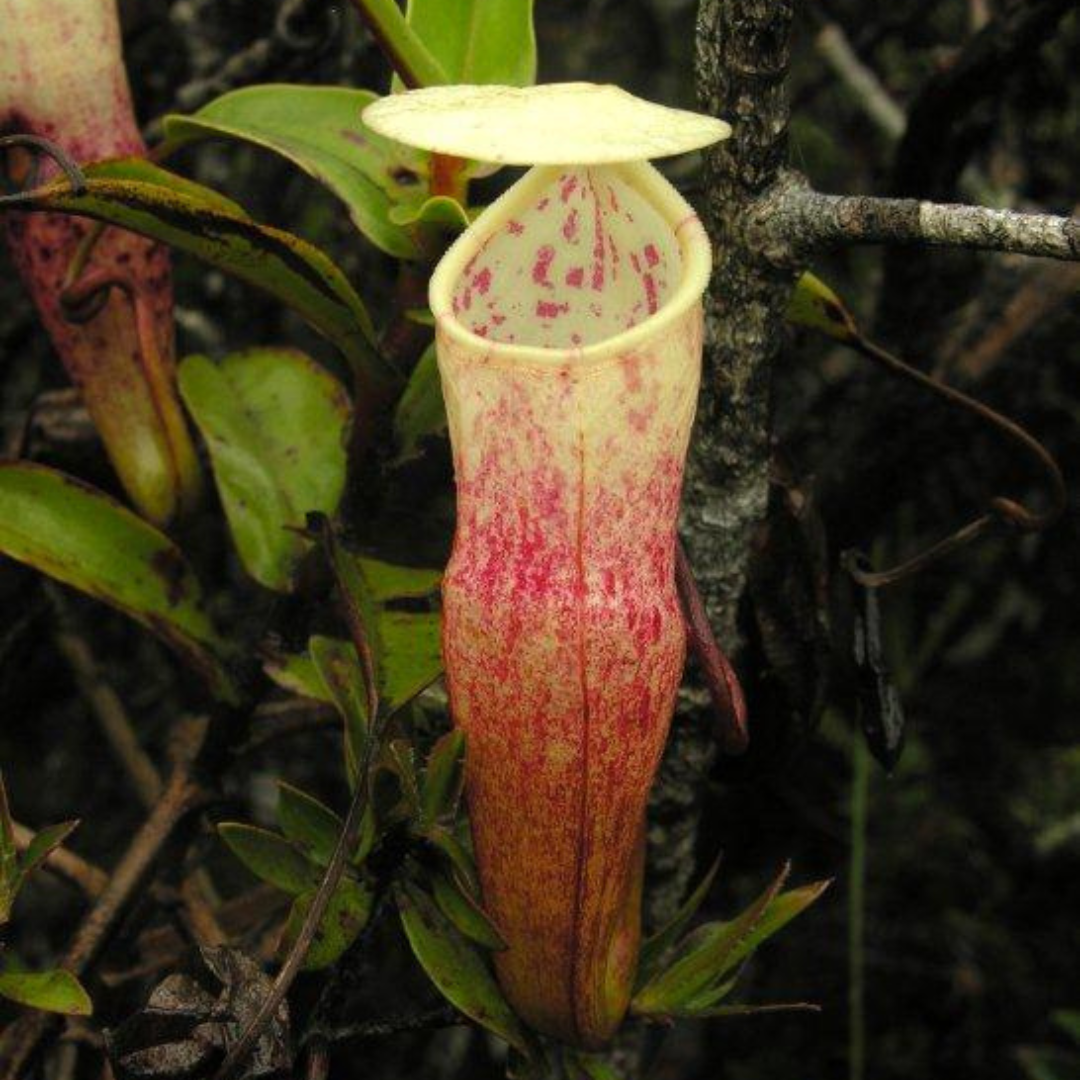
1002 511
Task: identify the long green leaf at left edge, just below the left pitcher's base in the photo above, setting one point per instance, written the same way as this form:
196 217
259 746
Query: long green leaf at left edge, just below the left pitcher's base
86 539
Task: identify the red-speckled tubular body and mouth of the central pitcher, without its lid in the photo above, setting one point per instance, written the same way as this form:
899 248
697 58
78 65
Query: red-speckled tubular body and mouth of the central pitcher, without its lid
570 344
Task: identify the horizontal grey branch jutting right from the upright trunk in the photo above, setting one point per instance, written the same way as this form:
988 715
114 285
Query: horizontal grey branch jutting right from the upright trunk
805 221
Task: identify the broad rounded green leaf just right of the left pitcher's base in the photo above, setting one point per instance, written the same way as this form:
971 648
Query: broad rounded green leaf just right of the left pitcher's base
276 426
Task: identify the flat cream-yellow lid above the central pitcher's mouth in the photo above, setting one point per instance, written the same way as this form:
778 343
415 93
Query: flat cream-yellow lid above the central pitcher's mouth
553 125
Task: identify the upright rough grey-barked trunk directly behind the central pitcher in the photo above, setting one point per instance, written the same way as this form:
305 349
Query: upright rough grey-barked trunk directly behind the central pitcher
742 56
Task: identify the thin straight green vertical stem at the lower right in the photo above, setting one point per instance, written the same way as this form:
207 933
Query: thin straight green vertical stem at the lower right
857 907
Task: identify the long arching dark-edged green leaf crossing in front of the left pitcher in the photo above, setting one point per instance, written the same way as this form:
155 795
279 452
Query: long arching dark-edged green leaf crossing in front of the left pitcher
192 219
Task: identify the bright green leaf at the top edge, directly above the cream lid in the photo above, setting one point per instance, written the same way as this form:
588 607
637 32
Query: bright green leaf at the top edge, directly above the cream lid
479 42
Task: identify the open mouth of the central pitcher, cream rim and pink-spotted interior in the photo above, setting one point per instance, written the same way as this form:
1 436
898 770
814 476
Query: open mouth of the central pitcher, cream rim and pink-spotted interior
560 271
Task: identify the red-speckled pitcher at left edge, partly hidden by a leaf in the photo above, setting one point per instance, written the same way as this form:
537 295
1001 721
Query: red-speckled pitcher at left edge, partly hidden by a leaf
62 77
